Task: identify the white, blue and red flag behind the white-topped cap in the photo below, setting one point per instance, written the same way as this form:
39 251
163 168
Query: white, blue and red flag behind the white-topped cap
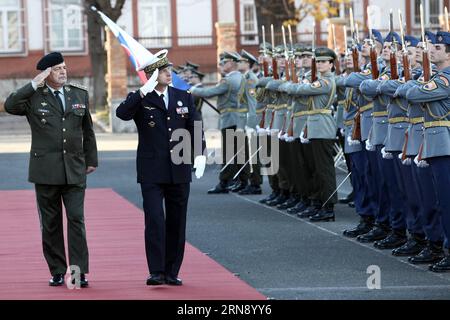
137 53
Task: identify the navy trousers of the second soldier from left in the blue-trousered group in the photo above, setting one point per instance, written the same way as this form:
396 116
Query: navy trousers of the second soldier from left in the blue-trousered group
376 187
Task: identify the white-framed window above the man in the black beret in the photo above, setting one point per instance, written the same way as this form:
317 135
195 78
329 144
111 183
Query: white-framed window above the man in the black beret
65 25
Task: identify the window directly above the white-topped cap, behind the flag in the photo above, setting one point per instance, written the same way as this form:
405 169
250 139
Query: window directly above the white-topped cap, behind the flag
155 23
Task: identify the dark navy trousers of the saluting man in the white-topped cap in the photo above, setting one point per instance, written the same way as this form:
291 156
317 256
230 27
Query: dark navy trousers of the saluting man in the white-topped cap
165 234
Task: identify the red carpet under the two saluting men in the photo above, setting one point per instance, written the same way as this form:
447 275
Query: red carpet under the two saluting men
118 268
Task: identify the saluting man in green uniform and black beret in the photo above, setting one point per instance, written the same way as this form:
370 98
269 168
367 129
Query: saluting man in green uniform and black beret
63 151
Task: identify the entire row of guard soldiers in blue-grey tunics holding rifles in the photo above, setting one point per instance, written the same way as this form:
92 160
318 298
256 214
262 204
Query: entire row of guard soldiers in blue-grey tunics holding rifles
399 162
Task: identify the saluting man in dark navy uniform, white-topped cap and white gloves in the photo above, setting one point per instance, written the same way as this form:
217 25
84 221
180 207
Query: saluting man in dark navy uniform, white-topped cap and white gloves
163 115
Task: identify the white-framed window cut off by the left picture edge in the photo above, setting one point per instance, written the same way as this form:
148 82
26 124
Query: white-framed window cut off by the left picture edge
11 27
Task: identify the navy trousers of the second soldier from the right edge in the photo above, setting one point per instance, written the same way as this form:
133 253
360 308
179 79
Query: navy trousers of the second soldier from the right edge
429 206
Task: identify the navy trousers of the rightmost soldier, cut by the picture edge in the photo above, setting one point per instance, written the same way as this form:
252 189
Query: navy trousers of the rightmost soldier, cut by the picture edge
440 167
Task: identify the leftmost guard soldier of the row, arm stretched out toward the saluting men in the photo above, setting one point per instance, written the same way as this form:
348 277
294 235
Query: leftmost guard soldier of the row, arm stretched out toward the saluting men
226 91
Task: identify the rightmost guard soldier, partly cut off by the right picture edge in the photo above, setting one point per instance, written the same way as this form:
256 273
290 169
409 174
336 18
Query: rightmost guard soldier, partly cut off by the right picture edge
436 145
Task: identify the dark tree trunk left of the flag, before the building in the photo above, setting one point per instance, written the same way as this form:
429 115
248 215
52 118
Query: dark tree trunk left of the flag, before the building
96 44
